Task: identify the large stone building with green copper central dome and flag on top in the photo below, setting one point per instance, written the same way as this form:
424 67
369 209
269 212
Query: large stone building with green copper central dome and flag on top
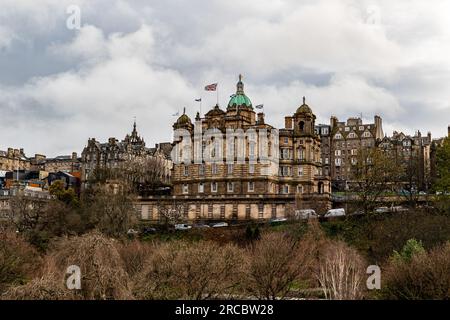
257 172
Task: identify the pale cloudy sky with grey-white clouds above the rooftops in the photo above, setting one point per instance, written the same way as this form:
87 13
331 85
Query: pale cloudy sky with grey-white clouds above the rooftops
149 59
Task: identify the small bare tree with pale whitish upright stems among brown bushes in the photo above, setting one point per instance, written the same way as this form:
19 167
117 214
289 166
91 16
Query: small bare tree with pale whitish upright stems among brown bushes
341 272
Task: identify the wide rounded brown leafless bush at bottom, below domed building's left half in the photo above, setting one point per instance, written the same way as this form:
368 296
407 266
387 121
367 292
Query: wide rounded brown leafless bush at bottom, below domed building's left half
202 270
